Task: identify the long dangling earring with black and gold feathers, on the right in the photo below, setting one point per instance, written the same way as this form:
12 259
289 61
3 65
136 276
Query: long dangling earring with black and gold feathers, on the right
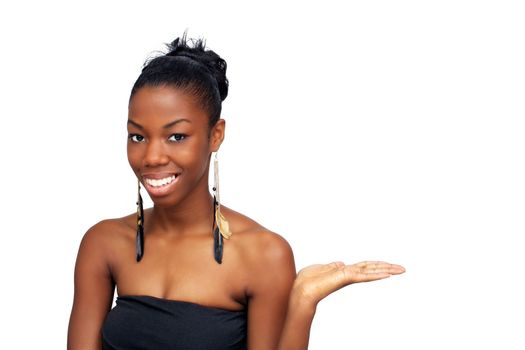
223 227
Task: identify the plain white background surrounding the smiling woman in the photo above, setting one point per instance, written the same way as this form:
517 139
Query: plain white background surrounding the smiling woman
388 130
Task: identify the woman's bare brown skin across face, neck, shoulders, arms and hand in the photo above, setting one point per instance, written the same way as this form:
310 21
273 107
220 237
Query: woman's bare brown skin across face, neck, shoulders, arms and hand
258 269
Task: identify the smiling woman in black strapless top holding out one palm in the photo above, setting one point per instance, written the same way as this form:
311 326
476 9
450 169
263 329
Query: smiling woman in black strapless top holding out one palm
190 272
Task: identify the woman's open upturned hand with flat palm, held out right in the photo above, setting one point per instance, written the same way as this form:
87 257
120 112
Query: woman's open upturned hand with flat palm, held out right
315 282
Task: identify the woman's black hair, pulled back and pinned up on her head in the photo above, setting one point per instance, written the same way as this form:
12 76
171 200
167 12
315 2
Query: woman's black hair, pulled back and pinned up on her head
195 70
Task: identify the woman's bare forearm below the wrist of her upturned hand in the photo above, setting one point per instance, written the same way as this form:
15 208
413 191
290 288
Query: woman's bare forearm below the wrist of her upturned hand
296 330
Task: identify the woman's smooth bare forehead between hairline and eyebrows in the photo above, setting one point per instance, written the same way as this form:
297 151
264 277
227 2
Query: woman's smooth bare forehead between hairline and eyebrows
152 106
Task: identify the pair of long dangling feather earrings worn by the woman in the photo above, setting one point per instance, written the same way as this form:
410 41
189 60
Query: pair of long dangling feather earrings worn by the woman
221 230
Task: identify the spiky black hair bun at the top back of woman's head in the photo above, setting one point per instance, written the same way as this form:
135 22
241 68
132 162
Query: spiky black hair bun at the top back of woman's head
208 58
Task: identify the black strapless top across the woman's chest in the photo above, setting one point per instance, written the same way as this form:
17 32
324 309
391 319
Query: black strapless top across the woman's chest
146 322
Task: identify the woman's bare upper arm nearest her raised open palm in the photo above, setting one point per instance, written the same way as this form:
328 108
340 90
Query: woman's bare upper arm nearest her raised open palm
272 271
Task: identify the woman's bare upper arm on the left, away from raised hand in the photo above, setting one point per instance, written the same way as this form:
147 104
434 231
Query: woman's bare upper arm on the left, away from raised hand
94 290
